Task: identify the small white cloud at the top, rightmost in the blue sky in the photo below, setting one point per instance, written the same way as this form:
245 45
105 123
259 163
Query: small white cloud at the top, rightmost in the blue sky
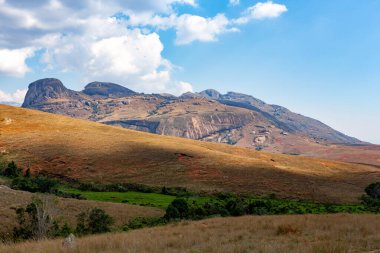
261 11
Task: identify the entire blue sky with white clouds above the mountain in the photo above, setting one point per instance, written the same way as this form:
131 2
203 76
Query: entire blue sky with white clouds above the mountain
319 58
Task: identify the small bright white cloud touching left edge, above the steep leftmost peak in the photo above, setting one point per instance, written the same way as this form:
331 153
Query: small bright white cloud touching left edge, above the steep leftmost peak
12 61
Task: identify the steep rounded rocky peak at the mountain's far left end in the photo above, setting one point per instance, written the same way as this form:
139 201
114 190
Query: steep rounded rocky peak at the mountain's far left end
44 89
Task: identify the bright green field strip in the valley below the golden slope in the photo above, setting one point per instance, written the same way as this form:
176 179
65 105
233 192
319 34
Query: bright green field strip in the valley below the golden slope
131 197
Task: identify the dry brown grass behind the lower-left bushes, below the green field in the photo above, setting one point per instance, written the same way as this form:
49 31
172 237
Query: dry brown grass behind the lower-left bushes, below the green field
67 209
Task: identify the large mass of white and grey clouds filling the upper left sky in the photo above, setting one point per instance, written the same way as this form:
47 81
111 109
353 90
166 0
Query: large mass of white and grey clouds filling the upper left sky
81 36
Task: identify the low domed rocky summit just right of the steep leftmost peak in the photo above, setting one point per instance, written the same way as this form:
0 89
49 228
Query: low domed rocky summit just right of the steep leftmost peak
104 89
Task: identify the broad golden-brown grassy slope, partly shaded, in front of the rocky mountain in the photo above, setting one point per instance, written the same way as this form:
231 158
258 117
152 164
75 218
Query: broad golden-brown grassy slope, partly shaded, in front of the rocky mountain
94 152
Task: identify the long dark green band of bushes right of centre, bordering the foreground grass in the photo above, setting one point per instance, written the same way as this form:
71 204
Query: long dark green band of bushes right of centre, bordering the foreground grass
232 205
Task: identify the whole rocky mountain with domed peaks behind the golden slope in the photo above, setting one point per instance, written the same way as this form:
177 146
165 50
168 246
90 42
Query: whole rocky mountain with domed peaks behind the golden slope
232 118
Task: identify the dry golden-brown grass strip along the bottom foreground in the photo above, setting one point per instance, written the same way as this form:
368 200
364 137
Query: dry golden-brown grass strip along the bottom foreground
313 233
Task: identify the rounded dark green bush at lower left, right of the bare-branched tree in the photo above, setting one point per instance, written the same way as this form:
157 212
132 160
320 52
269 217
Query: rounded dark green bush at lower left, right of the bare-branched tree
93 222
